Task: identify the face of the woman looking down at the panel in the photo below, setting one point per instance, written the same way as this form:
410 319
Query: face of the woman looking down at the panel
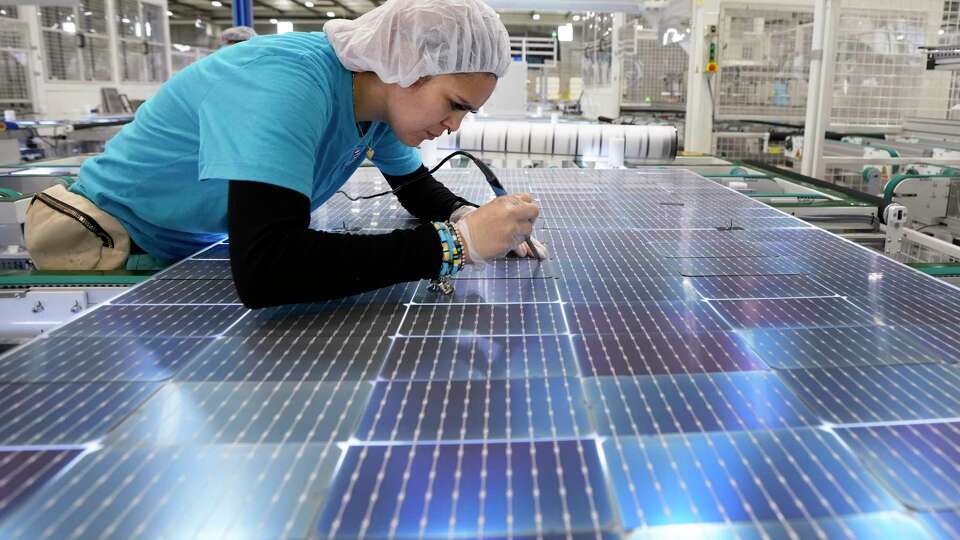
436 104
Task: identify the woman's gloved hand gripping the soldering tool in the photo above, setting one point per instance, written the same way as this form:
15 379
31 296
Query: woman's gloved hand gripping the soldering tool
497 227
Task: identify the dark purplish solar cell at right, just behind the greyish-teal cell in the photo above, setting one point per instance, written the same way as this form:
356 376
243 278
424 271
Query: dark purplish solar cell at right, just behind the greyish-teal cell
791 313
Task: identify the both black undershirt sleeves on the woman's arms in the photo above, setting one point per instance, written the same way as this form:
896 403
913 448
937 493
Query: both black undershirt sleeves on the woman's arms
277 259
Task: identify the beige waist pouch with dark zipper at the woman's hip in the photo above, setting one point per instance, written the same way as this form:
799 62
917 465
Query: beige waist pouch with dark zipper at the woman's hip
65 231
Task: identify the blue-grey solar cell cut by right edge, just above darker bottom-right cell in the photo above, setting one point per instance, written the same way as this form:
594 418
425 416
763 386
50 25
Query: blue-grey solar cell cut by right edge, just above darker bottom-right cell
878 394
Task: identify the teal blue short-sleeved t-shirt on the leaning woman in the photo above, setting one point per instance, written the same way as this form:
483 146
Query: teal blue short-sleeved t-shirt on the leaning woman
276 109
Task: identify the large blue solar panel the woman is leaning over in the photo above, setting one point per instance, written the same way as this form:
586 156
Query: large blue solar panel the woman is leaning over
688 363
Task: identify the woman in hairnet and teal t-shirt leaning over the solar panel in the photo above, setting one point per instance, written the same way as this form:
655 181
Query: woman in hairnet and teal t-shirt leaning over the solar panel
248 141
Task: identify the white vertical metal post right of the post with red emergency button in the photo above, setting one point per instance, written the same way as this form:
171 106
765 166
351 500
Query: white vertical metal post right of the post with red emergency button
820 91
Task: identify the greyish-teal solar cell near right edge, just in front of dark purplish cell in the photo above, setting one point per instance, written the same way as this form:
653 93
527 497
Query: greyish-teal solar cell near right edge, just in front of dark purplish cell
839 347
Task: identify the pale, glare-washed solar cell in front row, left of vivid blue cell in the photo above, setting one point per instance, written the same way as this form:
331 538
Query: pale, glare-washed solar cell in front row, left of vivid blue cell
220 491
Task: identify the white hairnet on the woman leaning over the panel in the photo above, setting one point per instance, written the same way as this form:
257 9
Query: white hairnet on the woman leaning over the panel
404 40
